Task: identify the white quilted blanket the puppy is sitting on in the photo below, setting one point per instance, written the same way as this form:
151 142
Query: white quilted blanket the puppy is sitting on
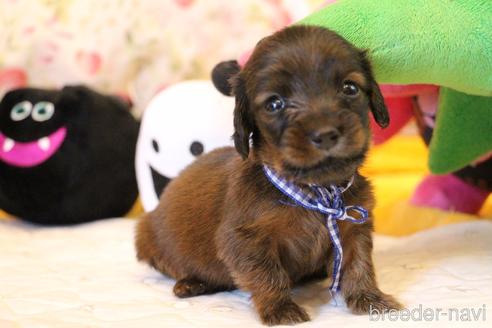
87 276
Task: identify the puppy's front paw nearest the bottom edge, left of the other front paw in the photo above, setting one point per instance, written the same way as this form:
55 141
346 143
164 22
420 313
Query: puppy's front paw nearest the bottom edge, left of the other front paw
284 313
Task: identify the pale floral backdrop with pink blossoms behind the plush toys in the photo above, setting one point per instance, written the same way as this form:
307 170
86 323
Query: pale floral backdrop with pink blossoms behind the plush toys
130 47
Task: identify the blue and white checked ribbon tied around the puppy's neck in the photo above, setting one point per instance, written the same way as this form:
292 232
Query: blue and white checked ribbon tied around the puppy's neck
328 201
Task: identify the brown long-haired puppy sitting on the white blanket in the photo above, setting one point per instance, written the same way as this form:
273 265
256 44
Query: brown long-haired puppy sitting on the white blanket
302 104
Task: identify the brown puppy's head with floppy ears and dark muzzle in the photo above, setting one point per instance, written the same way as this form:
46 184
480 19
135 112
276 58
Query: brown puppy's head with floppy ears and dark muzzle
304 97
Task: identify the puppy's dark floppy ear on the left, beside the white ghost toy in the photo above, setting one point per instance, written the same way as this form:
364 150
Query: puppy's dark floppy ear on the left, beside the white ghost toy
243 123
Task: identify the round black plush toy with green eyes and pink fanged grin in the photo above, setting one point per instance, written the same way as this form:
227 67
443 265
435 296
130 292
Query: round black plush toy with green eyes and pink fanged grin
66 156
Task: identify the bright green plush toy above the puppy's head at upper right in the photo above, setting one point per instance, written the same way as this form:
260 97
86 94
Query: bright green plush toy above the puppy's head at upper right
446 43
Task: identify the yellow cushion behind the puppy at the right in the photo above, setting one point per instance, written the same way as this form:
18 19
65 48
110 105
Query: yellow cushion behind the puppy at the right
395 168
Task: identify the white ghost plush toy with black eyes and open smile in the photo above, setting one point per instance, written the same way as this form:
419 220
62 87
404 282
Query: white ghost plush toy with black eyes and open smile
180 123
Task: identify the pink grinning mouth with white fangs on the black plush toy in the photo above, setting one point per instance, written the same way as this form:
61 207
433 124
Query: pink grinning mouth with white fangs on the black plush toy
27 154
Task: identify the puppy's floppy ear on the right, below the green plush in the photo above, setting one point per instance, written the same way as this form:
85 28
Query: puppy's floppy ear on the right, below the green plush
378 107
